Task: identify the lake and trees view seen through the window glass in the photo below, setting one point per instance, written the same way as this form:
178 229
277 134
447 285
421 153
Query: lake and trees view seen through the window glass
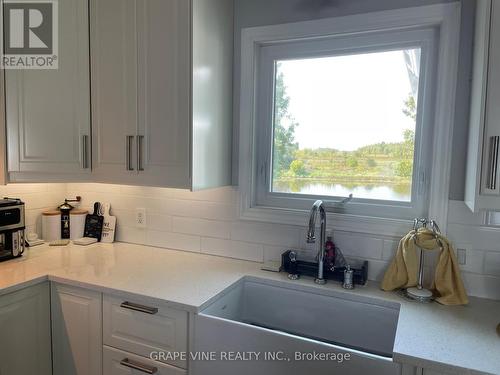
346 124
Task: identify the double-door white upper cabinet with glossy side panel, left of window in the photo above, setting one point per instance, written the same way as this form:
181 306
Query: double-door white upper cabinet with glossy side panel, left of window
162 92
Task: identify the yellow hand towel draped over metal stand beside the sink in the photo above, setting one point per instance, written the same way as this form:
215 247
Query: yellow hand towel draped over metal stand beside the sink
402 272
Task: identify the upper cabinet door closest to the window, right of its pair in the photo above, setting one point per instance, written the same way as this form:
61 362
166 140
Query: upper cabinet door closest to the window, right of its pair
164 78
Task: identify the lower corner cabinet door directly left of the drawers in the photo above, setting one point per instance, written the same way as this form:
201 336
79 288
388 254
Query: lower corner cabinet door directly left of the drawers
76 331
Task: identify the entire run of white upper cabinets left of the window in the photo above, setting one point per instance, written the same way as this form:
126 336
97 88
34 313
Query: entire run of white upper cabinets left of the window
153 106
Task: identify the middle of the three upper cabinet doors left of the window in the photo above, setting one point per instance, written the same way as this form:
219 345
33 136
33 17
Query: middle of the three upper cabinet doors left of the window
114 90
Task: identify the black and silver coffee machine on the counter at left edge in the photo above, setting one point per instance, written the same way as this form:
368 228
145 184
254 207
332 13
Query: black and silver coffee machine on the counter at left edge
12 226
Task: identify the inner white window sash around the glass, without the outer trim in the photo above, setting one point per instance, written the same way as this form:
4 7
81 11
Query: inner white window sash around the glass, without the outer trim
326 47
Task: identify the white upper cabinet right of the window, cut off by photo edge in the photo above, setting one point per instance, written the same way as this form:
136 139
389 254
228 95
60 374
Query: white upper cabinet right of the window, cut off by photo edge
482 190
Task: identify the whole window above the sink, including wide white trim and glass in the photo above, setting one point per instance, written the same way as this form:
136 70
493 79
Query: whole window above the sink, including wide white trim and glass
348 106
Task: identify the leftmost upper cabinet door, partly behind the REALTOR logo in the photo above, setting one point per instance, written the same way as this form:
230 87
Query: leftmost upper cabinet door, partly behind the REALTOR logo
48 111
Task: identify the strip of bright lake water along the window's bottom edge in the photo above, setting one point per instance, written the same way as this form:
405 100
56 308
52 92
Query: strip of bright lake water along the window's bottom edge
382 191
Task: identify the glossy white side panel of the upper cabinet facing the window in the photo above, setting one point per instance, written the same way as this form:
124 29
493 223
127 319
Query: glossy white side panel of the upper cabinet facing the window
212 92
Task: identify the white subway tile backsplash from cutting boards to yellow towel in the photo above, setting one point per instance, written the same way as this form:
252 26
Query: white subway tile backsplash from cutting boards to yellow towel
207 222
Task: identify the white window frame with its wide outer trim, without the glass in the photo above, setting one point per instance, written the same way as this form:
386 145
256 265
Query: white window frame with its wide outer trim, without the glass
433 28
